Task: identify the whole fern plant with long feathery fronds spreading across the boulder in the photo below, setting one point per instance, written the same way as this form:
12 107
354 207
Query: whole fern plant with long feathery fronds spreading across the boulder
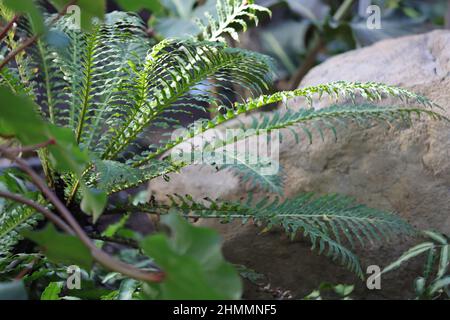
108 87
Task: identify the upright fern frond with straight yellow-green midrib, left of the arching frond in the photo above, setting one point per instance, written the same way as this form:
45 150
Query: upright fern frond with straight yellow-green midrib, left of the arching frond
92 64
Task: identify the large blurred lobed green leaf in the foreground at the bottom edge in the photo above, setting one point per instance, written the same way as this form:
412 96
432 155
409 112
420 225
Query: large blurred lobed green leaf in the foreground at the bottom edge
193 263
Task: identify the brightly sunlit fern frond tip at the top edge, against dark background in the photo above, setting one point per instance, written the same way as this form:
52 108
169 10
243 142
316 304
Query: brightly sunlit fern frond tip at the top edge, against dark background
230 13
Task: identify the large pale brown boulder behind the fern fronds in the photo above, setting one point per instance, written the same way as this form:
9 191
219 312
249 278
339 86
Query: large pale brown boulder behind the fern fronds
406 171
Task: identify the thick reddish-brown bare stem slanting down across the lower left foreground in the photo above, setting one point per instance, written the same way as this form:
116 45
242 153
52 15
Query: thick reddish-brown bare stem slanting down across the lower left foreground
99 255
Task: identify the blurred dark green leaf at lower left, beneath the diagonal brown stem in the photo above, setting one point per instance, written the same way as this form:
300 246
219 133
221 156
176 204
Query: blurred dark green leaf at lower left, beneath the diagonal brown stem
61 248
